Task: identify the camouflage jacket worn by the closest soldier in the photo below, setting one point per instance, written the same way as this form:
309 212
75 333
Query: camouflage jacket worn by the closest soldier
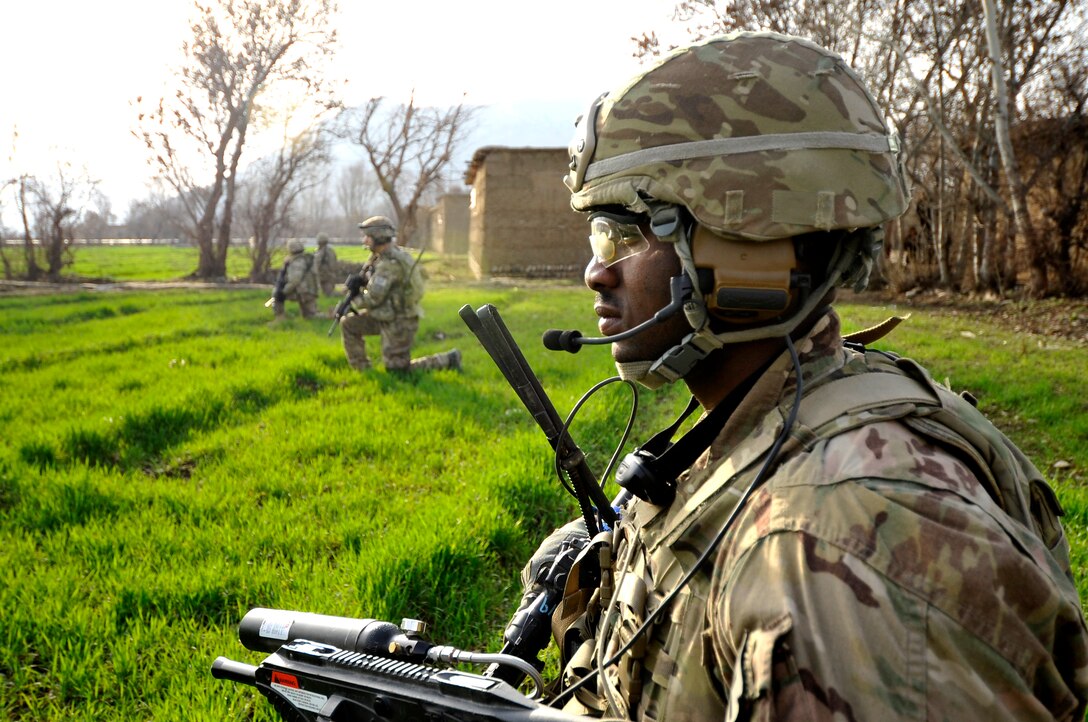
871 577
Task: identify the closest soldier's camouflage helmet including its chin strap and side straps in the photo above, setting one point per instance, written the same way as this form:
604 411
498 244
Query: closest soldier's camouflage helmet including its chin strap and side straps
758 139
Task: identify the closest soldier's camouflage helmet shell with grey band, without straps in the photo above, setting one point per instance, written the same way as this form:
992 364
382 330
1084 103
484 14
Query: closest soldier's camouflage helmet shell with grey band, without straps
759 135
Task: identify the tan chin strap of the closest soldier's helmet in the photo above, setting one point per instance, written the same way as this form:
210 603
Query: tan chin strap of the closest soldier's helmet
679 360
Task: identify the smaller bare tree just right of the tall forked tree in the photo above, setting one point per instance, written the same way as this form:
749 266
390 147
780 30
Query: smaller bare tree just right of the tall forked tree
274 185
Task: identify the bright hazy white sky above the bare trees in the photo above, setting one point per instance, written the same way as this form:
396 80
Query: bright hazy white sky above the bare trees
70 70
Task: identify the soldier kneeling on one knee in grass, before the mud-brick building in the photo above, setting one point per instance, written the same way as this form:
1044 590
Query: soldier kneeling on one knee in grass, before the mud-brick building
387 296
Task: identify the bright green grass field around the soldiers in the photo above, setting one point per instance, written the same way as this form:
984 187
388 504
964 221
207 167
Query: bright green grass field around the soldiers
172 459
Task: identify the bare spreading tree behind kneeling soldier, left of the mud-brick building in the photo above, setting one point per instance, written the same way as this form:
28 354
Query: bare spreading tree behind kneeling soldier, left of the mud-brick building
409 148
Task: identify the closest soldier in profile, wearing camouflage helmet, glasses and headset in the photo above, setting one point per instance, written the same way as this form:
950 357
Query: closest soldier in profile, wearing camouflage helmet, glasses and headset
839 537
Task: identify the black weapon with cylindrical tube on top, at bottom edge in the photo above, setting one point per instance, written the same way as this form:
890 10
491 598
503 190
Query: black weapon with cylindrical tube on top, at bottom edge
335 669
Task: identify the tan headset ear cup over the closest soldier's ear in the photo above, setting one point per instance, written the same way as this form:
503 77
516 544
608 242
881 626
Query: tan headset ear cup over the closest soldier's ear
745 282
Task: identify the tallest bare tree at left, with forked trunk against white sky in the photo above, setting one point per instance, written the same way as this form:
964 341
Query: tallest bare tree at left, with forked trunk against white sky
240 51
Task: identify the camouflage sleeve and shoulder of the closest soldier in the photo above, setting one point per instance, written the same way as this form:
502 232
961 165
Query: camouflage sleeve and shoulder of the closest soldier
886 601
